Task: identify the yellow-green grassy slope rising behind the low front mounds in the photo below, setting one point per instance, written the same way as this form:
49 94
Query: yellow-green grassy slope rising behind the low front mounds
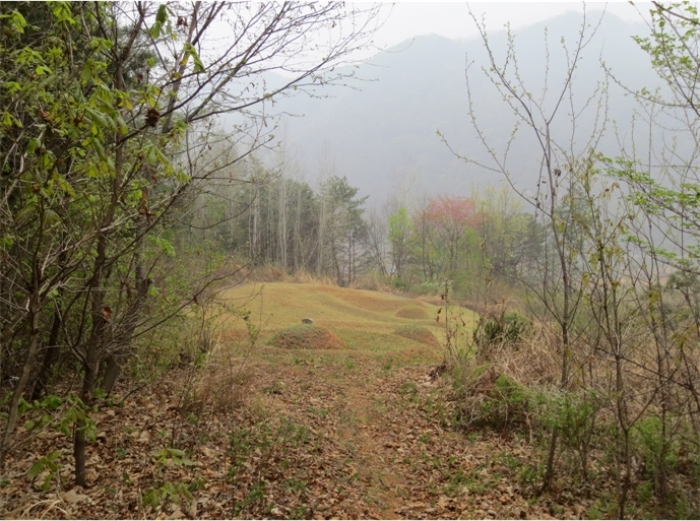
365 320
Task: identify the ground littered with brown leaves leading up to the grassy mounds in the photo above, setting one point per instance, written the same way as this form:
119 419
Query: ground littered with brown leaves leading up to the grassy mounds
362 432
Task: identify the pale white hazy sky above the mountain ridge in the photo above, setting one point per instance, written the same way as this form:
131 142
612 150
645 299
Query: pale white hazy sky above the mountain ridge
451 19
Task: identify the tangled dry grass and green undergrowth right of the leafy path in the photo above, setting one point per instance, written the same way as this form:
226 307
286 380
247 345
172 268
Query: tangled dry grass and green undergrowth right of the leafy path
504 382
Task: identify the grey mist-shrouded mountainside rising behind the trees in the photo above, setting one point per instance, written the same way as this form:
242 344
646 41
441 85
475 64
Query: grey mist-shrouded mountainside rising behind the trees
382 135
